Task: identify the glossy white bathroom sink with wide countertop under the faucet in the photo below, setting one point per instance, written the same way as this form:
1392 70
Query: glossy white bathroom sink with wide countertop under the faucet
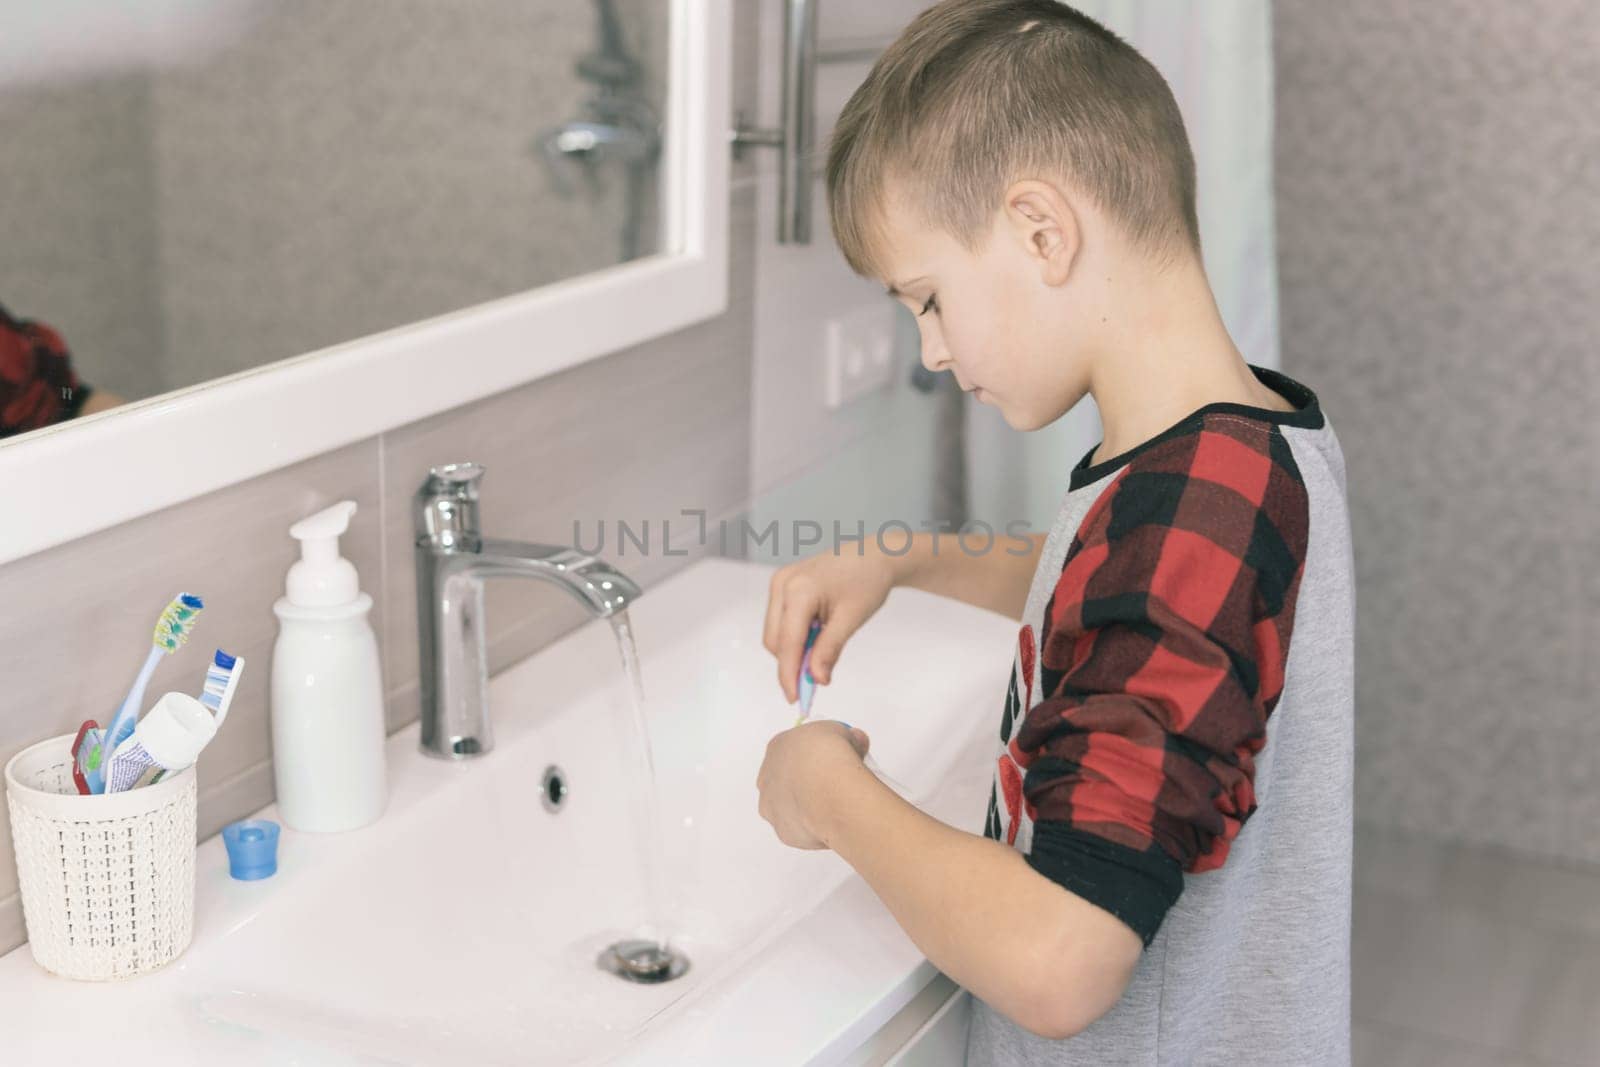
465 927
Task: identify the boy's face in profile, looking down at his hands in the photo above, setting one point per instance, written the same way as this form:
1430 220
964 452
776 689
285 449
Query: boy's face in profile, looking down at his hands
996 318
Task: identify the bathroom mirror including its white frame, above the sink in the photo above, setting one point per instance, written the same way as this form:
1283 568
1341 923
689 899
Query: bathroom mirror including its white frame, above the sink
252 214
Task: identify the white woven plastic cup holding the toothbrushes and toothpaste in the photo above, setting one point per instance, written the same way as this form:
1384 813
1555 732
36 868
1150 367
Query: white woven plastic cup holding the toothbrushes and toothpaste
108 881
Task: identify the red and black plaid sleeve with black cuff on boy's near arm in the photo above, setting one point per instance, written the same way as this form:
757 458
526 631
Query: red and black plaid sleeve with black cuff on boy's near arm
1161 660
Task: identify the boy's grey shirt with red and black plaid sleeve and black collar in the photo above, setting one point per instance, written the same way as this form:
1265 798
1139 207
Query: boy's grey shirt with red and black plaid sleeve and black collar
1178 740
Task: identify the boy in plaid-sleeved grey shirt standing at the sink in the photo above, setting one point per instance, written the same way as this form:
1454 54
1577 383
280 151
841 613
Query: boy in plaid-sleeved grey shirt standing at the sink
1156 882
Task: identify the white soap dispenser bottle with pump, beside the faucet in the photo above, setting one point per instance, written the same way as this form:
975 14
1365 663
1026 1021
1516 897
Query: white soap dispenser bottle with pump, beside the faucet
327 689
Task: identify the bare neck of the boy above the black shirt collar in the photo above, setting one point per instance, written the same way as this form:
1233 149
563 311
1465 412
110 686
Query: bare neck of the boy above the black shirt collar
1172 358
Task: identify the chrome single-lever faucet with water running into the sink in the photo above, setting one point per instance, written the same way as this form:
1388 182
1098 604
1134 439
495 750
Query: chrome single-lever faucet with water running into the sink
452 562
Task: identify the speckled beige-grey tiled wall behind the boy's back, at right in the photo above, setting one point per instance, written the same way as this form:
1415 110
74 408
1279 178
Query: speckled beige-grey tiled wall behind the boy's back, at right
1439 236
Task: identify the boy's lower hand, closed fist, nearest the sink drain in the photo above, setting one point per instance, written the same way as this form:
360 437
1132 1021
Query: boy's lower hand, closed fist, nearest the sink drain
796 773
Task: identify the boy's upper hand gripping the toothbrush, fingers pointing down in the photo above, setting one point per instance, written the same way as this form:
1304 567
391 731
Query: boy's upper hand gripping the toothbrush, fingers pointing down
842 591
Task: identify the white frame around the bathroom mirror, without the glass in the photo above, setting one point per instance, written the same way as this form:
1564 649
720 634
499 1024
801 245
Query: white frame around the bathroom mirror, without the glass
79 478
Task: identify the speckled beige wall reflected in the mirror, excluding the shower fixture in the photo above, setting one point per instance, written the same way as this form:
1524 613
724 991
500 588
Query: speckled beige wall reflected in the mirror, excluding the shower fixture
409 134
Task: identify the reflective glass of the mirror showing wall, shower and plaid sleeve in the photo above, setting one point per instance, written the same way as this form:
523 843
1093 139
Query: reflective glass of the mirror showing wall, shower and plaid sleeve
198 188
